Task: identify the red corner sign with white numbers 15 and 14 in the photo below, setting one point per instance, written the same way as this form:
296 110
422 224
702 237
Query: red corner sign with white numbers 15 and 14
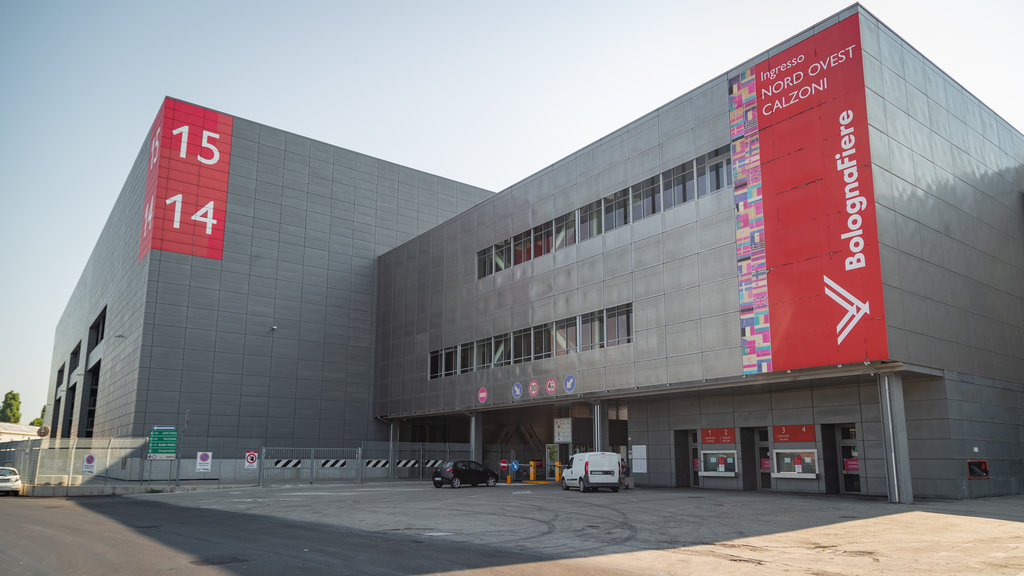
187 182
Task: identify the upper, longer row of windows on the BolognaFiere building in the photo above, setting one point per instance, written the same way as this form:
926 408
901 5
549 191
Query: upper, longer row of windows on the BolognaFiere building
694 179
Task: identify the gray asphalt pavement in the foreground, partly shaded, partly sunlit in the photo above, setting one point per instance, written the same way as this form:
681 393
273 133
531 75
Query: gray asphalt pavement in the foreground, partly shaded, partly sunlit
413 528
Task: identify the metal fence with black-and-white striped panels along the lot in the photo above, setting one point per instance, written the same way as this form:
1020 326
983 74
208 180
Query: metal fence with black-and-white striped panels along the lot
104 462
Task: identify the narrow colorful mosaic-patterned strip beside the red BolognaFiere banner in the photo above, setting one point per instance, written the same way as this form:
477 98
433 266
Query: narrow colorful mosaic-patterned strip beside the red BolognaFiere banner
755 327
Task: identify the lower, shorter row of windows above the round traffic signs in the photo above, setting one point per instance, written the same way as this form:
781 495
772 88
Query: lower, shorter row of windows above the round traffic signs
608 327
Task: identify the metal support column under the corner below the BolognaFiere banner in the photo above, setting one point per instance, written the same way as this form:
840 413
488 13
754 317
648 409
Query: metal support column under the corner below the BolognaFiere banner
898 456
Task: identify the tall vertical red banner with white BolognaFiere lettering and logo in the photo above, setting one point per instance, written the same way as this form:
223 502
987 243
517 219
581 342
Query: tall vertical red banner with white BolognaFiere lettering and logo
821 232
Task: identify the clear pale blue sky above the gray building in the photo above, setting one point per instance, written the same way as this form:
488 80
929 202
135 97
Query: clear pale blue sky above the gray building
483 93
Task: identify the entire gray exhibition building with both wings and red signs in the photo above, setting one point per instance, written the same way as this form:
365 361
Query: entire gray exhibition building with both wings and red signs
805 275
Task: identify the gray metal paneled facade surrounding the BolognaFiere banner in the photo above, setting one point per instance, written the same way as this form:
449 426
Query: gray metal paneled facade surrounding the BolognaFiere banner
949 179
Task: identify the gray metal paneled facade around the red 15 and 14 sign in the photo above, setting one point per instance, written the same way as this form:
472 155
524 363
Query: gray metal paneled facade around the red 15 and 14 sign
276 341
